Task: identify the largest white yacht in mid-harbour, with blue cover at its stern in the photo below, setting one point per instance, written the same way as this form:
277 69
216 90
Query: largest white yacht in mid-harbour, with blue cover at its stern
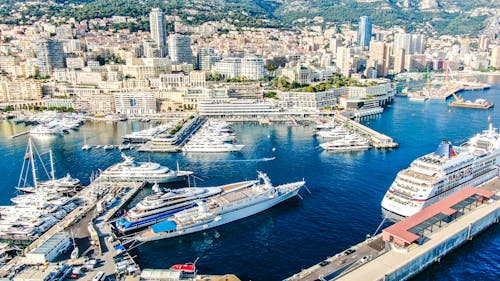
234 204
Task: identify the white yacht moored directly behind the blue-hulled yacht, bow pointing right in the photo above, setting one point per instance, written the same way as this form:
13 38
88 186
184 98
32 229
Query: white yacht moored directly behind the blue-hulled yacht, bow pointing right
130 170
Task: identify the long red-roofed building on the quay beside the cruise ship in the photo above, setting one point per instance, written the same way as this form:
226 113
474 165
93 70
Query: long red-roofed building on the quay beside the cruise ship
411 229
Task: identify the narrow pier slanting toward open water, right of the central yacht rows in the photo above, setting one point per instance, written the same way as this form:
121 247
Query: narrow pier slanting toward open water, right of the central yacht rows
376 139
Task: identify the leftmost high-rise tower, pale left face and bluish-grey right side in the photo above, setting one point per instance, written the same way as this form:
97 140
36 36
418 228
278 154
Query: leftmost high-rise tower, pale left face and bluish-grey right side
50 55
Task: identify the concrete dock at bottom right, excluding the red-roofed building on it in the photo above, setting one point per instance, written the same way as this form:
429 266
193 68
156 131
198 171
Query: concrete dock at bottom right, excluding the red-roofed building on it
383 261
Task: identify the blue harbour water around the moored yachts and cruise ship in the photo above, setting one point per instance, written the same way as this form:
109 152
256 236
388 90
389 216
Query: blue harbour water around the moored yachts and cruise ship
342 207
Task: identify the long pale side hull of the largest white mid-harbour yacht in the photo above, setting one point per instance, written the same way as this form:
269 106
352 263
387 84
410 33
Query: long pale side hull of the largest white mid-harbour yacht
224 217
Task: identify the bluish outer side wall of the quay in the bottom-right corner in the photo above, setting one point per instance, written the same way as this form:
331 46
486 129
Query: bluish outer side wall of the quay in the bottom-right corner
424 260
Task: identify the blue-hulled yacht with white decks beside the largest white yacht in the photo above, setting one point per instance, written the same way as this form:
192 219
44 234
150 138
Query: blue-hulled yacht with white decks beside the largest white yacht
159 206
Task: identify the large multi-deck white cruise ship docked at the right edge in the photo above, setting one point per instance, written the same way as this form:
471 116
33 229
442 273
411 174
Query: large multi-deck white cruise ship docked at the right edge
438 174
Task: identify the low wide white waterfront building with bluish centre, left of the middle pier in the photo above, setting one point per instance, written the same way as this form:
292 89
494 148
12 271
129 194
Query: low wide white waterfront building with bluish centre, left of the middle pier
135 103
